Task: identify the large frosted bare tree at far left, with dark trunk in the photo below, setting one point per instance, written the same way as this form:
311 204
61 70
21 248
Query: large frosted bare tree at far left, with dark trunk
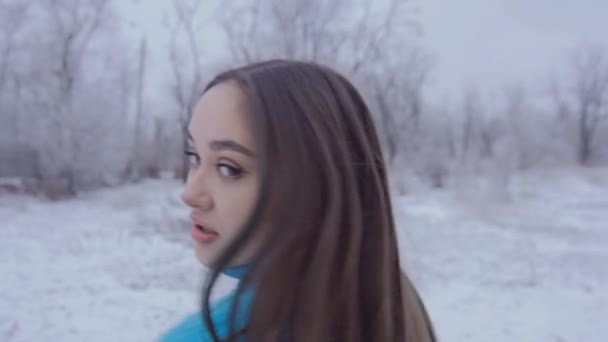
71 109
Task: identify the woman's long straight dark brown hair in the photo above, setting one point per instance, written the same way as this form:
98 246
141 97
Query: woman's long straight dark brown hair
330 269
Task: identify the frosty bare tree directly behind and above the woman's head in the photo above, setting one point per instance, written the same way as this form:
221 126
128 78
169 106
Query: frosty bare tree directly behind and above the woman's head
369 41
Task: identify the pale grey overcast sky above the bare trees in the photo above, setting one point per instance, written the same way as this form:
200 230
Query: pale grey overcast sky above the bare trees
486 43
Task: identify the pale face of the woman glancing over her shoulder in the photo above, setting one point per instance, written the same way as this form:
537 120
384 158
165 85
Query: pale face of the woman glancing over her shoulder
222 184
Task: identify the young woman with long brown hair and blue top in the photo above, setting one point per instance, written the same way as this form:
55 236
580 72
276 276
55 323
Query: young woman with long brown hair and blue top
288 192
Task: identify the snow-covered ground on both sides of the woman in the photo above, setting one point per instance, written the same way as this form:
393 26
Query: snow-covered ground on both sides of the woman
117 265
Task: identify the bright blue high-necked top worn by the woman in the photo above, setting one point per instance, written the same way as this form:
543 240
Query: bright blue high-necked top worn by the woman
193 327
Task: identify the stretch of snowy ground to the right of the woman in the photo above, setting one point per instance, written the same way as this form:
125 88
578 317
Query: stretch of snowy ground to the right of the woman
533 268
